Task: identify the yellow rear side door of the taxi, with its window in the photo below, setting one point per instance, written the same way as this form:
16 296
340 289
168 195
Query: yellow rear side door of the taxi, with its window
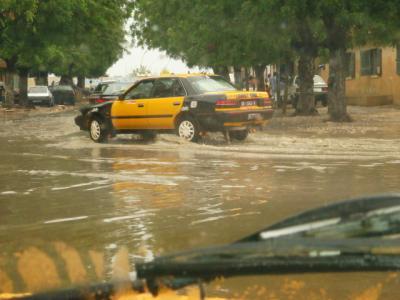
166 103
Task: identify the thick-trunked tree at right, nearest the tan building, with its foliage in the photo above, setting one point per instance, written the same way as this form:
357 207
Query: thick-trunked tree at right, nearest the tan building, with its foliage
348 24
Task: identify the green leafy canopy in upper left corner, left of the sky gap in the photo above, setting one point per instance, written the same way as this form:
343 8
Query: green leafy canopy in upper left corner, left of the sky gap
74 37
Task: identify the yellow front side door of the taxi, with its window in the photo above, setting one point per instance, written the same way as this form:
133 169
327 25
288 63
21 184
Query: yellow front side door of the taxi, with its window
131 112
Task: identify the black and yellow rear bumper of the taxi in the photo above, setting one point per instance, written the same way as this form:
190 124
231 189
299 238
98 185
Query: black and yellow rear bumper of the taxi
234 119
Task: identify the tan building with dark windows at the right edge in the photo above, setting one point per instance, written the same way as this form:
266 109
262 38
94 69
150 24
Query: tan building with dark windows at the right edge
373 76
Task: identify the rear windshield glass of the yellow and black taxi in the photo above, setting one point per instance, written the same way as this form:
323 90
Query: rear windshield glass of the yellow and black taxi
205 84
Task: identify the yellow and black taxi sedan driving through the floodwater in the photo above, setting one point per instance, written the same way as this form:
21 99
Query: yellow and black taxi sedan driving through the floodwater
186 104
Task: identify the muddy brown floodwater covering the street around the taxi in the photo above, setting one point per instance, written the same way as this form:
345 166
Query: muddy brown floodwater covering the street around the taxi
64 198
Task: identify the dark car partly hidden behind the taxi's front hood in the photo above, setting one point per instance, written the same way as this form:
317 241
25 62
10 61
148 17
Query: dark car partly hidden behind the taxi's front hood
108 91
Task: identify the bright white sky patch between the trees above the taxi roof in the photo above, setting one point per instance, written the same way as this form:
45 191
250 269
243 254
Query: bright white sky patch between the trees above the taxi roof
154 60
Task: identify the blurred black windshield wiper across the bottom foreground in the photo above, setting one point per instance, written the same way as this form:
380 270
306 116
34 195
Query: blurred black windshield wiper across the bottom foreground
354 235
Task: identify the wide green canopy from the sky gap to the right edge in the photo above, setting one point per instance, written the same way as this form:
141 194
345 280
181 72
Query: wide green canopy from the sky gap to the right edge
250 32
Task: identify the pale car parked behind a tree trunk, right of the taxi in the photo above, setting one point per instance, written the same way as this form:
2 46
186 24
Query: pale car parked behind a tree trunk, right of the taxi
320 91
